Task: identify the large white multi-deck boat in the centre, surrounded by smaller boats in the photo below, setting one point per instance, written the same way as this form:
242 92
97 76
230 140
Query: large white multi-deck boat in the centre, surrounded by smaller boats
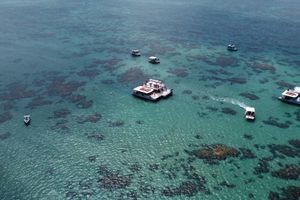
152 90
